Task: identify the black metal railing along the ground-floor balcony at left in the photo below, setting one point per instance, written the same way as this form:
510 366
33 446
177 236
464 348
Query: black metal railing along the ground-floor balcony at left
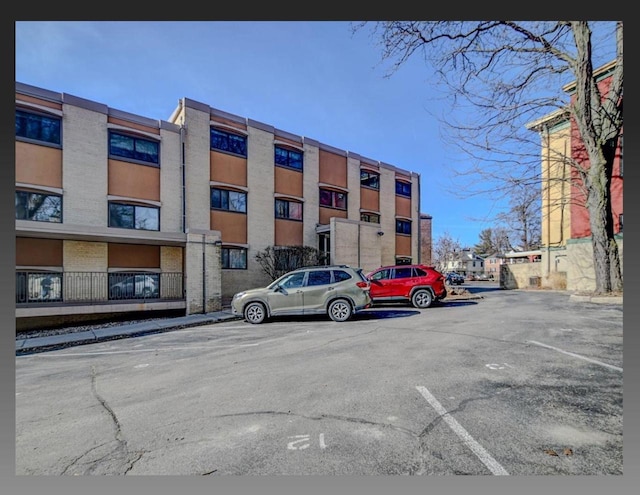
38 287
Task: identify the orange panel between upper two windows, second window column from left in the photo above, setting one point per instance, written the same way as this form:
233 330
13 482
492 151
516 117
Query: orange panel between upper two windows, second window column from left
134 181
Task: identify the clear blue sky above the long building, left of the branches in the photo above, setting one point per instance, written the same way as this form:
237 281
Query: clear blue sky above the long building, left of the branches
311 78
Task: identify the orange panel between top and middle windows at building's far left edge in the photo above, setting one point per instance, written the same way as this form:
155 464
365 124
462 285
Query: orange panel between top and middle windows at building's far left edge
41 165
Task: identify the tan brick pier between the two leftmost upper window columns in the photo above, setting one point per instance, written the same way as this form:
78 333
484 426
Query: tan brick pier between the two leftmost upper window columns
84 162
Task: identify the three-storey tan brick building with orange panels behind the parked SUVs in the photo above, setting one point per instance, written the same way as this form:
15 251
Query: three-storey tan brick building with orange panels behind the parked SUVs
120 213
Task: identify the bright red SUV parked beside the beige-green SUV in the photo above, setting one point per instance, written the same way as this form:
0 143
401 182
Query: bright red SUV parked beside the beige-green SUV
420 285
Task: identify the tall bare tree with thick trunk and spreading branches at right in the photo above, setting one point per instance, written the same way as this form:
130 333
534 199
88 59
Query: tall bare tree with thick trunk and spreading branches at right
511 73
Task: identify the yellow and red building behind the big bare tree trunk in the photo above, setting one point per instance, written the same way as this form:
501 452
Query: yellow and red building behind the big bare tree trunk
566 251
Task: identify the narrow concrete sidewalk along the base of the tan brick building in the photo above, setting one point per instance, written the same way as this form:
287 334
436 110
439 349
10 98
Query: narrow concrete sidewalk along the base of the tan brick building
40 344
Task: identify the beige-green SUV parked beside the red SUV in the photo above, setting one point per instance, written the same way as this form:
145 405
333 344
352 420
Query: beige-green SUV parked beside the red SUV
339 291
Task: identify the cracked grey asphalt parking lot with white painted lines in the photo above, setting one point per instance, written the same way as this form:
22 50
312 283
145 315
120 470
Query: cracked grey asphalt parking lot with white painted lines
514 383
